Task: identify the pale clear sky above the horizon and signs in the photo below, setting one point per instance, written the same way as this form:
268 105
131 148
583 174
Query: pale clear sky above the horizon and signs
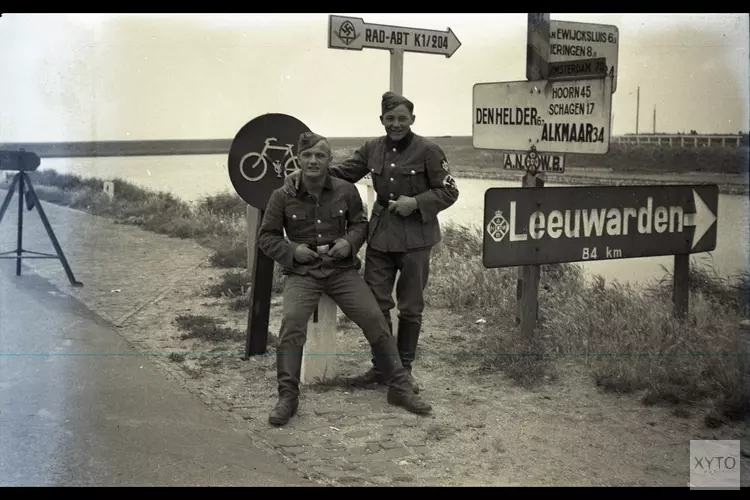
91 77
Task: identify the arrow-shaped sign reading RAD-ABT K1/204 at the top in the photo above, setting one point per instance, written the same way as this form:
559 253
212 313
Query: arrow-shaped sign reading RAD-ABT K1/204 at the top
352 33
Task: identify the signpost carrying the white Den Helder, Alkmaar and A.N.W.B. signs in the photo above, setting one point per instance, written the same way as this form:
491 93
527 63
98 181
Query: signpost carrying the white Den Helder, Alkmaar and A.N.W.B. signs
563 107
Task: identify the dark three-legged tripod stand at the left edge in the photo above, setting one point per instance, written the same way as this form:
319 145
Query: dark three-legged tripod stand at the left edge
21 179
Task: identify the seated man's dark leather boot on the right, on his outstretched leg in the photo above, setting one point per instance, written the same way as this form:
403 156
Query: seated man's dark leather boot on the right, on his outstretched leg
400 392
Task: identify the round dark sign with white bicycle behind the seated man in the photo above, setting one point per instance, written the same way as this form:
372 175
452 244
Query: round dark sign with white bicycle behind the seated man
263 152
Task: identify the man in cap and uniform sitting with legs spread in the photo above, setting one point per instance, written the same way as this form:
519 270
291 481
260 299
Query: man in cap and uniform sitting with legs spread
326 225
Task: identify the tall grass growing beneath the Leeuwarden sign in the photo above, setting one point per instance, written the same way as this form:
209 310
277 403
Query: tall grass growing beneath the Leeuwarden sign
628 338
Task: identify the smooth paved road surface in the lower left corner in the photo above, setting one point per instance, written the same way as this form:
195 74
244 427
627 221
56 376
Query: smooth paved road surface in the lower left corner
80 407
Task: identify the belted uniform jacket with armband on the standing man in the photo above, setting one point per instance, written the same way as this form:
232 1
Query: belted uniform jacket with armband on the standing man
416 167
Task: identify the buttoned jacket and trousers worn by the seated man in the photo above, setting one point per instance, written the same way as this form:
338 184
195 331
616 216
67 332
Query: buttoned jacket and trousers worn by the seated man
337 214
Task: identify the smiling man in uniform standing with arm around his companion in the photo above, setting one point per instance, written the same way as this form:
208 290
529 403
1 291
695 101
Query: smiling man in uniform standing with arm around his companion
413 184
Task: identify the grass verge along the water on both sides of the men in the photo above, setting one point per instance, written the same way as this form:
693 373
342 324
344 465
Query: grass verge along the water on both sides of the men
626 338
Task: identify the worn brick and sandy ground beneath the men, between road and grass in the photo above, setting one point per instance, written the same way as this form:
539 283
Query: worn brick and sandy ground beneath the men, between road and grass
144 282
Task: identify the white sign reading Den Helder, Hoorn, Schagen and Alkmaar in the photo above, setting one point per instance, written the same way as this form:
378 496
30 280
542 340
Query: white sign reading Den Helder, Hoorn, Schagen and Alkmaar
556 117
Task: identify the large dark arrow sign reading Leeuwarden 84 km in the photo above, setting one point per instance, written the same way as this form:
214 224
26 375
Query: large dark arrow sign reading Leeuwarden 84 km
524 226
